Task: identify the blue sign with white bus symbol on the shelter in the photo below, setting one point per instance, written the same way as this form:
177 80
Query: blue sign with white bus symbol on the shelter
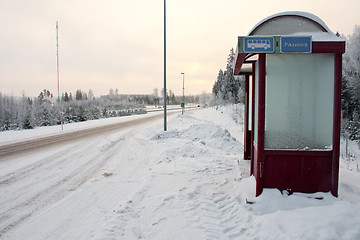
258 44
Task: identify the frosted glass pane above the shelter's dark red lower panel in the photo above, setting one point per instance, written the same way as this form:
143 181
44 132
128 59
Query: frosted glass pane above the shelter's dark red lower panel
299 101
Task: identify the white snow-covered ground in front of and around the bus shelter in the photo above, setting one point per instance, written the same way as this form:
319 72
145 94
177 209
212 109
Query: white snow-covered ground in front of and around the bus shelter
187 183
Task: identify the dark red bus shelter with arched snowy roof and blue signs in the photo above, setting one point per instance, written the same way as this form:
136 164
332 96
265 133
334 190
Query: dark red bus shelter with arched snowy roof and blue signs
292 64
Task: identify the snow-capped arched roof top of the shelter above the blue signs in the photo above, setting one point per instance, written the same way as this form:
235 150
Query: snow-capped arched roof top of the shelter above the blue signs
294 23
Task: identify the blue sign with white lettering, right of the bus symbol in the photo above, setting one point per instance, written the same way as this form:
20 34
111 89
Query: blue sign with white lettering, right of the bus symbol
295 44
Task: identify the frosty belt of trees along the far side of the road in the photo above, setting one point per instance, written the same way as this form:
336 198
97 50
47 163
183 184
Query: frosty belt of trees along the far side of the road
44 110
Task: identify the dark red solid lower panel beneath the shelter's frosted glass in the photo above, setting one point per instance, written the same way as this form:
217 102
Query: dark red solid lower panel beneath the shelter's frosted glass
307 172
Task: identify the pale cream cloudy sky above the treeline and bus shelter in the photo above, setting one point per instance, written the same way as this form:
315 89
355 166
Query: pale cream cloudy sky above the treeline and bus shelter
107 44
